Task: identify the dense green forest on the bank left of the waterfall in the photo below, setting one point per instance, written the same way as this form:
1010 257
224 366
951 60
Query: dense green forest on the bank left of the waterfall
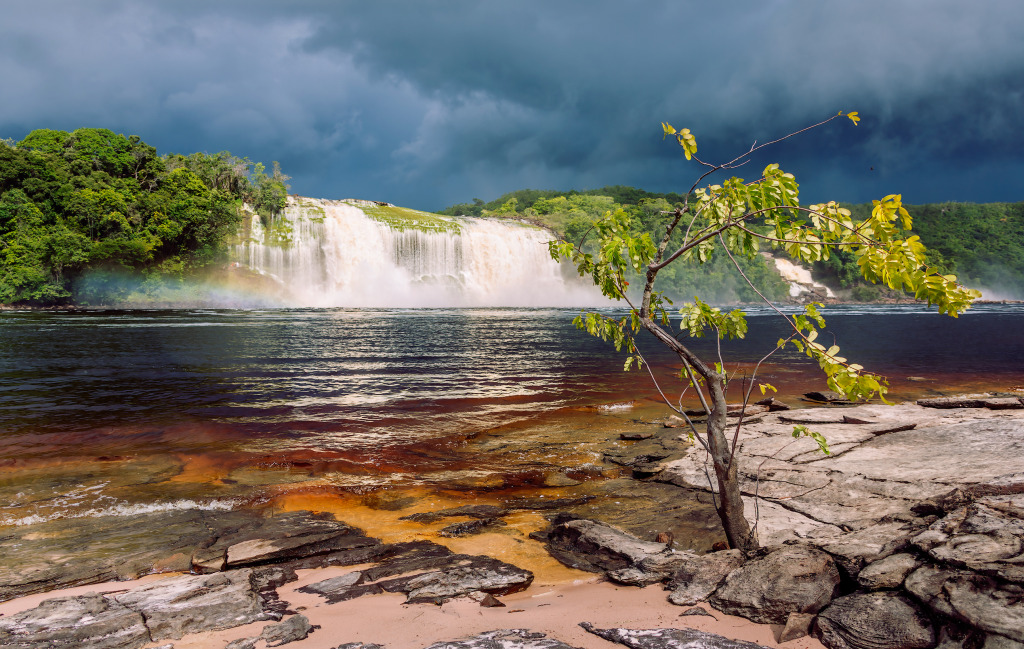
95 205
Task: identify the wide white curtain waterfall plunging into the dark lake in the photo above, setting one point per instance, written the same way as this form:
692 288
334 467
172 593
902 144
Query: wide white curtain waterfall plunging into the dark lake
331 253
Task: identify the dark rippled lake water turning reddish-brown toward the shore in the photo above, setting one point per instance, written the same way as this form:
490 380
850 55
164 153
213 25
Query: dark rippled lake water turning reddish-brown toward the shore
87 398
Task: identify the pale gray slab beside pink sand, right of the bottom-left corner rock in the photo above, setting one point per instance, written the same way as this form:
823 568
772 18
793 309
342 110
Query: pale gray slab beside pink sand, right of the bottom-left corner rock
188 604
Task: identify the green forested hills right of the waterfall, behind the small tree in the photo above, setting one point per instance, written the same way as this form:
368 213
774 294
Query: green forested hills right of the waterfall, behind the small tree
984 244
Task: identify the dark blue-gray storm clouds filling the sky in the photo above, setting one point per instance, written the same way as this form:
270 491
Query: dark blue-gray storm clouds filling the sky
428 104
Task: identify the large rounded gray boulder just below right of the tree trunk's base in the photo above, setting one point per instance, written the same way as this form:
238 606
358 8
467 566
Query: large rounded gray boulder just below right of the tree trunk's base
787 580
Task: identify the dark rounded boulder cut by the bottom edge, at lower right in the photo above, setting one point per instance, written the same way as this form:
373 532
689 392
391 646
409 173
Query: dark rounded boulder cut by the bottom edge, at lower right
875 621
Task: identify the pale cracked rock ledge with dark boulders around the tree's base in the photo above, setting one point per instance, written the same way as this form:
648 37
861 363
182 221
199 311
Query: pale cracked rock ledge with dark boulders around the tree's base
910 537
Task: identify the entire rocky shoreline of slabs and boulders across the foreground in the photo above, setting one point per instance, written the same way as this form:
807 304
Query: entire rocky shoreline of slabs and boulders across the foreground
911 535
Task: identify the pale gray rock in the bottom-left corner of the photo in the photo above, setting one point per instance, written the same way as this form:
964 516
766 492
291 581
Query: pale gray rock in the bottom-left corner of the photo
89 621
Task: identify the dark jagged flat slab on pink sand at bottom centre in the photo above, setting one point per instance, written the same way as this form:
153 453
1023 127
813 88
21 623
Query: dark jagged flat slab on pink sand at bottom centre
429 573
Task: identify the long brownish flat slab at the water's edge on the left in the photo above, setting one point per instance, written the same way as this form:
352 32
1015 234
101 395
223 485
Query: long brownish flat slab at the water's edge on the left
82 551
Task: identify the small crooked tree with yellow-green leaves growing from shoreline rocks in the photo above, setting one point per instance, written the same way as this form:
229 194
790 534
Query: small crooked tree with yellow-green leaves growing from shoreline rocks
736 219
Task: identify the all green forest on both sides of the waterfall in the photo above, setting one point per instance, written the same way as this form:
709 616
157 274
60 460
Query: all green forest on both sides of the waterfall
80 211
